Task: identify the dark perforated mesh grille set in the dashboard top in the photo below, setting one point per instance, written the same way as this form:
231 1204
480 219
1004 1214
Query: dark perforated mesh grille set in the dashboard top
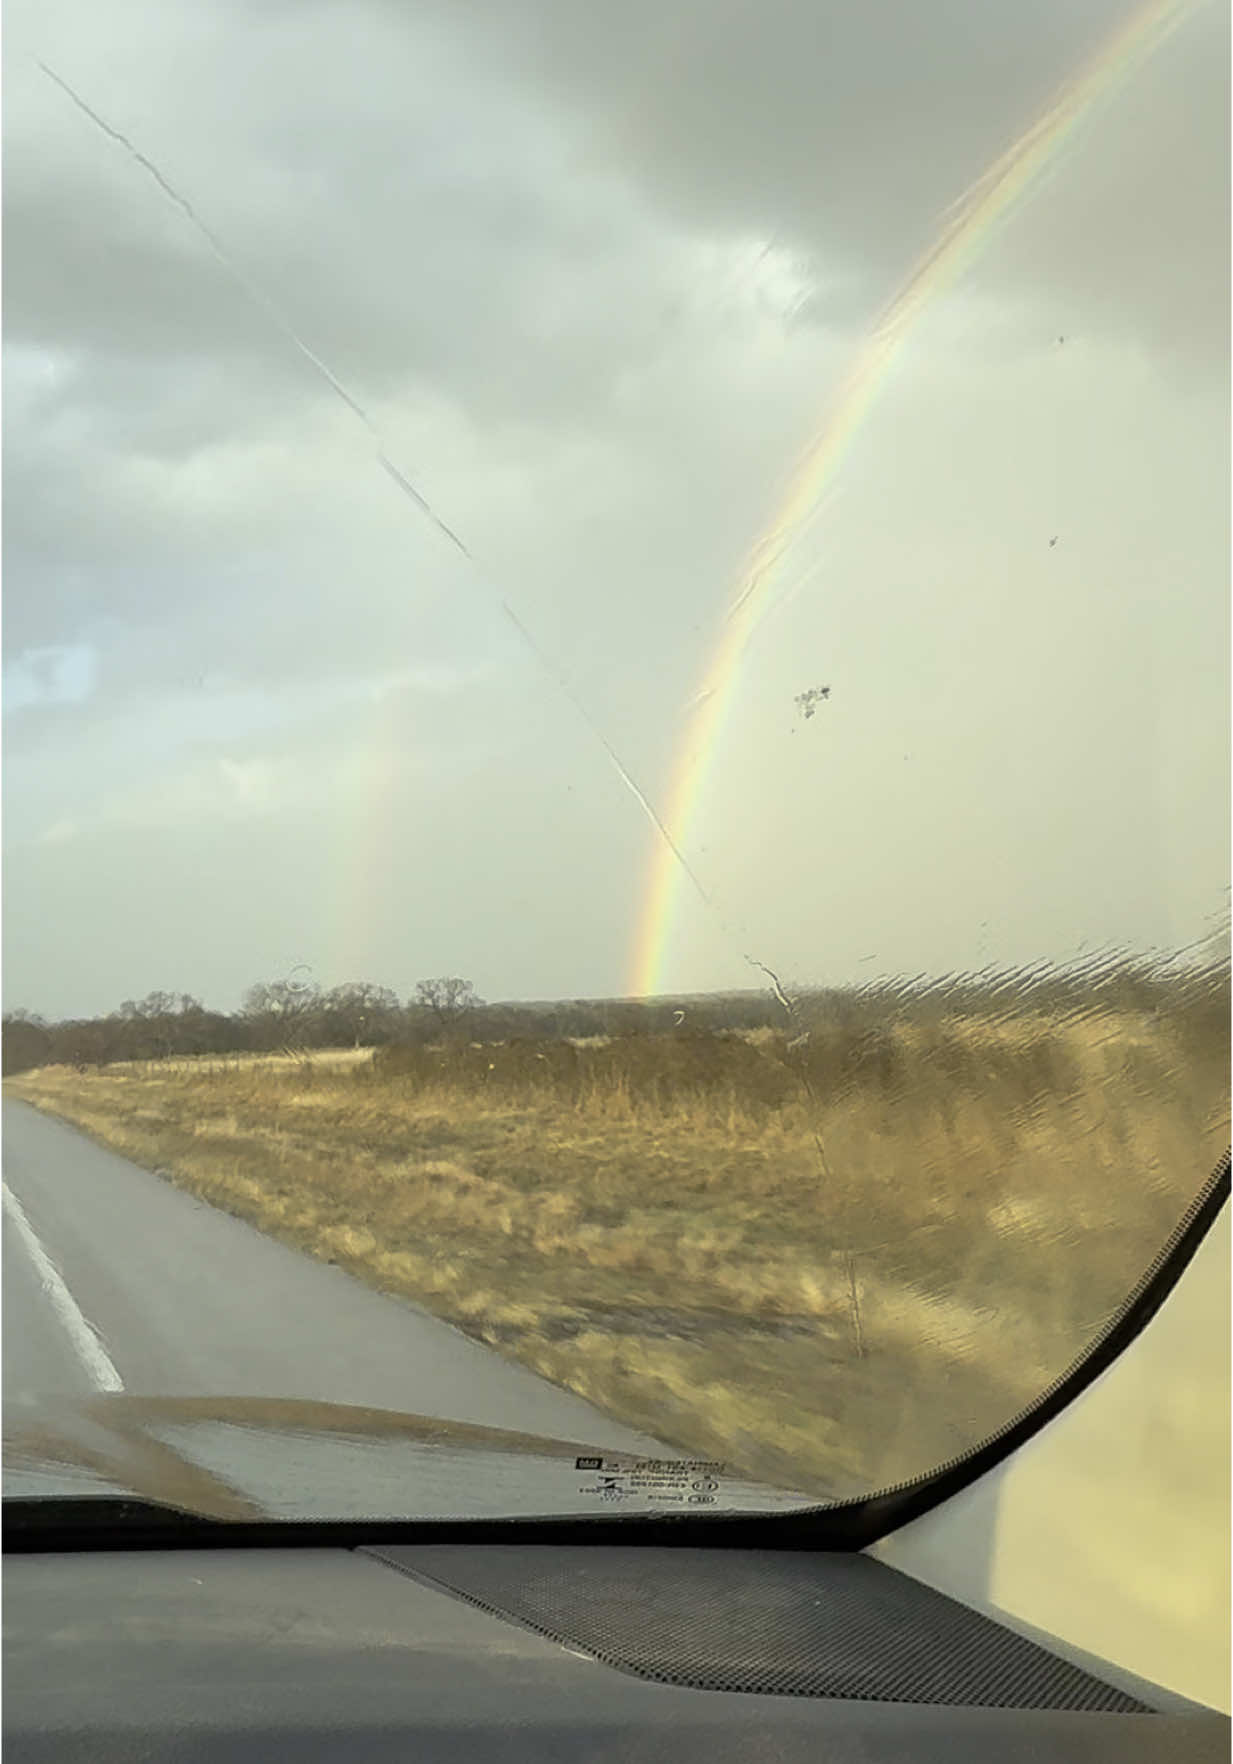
773 1622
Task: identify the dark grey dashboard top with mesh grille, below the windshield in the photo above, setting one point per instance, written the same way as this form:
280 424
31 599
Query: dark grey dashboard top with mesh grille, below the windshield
544 1652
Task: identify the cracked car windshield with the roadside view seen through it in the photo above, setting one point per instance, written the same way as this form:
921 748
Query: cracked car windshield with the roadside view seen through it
616 736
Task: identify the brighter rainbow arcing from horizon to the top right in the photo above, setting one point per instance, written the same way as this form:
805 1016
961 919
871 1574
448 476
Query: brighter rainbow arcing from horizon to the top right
969 225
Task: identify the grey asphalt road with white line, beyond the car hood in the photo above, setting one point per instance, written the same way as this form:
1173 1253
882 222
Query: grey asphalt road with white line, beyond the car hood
117 1282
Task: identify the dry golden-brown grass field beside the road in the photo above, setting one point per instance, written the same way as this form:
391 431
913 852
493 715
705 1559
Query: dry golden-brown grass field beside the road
833 1267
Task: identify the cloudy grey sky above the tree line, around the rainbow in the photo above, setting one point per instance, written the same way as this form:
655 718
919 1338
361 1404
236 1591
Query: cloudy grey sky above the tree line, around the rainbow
590 278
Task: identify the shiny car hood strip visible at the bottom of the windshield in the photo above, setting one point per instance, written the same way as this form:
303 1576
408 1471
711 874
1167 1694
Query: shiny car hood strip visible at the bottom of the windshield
258 1460
